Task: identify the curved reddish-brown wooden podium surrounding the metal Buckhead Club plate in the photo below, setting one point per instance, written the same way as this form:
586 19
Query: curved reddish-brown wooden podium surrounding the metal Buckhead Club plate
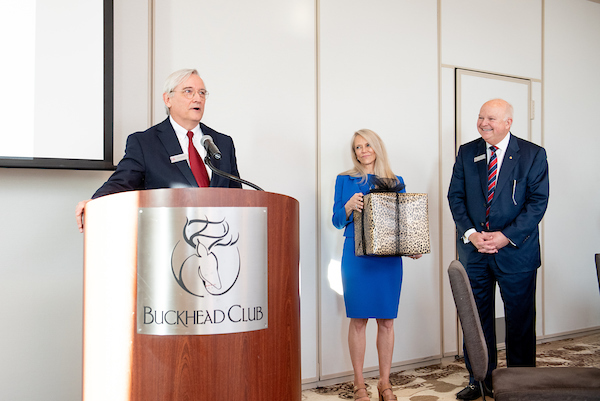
119 363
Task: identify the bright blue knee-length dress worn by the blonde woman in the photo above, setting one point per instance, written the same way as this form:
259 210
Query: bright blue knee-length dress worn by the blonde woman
371 283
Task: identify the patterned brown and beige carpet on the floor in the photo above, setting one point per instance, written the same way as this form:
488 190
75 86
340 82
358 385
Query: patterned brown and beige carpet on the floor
441 383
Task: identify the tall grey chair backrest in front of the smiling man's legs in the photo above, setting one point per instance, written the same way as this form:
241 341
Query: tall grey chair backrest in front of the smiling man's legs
470 322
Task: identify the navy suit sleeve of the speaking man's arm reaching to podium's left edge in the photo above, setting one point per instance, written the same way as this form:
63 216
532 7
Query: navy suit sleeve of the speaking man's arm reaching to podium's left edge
129 175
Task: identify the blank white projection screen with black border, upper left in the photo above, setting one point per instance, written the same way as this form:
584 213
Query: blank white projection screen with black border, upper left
57 68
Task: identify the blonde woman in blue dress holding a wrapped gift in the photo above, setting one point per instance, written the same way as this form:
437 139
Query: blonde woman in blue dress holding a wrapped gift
371 283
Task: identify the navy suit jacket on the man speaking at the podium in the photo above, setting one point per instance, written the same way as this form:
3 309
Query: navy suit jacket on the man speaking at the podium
147 162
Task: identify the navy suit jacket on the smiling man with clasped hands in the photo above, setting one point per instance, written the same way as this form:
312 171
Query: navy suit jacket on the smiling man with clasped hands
519 203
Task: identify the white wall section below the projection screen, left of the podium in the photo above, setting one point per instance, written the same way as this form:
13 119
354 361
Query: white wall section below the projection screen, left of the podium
41 276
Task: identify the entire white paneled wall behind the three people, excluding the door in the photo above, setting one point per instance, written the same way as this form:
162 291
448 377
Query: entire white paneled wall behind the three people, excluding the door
378 68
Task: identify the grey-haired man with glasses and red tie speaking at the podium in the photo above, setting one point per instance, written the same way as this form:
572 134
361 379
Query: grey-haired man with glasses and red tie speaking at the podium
158 157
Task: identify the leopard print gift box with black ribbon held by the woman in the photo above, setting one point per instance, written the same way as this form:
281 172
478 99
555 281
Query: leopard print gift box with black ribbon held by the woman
392 224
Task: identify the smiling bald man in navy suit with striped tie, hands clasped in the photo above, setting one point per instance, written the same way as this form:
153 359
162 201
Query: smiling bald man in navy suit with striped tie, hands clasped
498 241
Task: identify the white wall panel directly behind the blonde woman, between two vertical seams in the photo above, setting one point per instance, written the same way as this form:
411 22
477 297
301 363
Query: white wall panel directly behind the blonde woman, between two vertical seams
373 76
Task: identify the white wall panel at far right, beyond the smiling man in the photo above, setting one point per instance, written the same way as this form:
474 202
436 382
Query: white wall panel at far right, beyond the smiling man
572 223
